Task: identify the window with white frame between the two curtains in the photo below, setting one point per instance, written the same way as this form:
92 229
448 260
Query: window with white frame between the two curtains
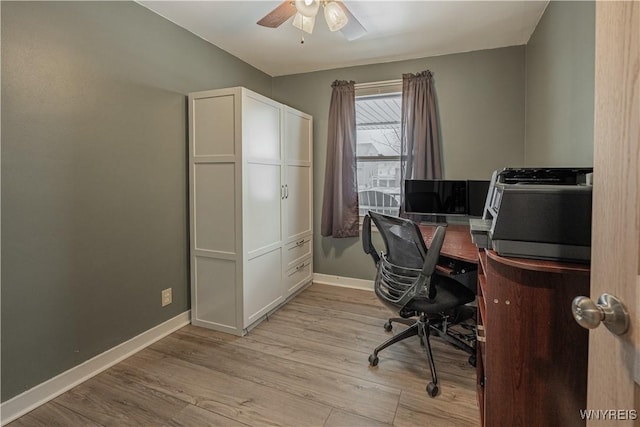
378 110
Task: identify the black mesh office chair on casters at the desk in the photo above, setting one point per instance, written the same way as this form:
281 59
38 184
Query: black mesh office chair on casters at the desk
406 282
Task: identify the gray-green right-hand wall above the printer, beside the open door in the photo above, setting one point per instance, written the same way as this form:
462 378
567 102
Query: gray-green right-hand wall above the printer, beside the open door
560 86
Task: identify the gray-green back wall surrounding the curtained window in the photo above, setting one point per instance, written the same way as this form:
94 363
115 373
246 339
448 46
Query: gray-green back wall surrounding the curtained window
480 96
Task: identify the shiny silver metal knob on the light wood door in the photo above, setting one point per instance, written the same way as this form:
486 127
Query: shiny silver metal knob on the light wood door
609 310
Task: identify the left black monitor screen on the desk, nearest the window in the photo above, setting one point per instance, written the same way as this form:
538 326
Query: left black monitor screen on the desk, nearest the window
435 197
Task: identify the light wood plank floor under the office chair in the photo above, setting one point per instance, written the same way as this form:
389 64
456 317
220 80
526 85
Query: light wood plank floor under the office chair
306 366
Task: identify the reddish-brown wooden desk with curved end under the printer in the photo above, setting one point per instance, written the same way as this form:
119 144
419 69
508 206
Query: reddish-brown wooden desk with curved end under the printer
532 355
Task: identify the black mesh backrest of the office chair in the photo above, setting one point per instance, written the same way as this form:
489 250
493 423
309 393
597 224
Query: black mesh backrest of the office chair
406 268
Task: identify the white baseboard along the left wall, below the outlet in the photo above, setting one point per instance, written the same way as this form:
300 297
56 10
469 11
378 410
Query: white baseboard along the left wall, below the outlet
44 392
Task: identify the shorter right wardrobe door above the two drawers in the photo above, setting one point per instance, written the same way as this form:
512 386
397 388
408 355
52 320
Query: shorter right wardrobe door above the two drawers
298 178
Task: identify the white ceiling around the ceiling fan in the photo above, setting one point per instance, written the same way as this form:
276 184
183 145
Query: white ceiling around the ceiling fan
396 30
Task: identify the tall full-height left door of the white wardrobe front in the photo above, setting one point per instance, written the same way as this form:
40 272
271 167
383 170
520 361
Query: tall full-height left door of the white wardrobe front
263 193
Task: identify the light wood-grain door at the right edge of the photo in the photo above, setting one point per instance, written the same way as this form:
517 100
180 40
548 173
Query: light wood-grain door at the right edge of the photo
614 360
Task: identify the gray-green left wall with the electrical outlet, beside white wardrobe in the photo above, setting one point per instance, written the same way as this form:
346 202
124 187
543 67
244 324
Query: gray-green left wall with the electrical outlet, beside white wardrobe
94 182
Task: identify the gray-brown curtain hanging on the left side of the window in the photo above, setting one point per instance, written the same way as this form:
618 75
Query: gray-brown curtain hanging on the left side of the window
340 200
